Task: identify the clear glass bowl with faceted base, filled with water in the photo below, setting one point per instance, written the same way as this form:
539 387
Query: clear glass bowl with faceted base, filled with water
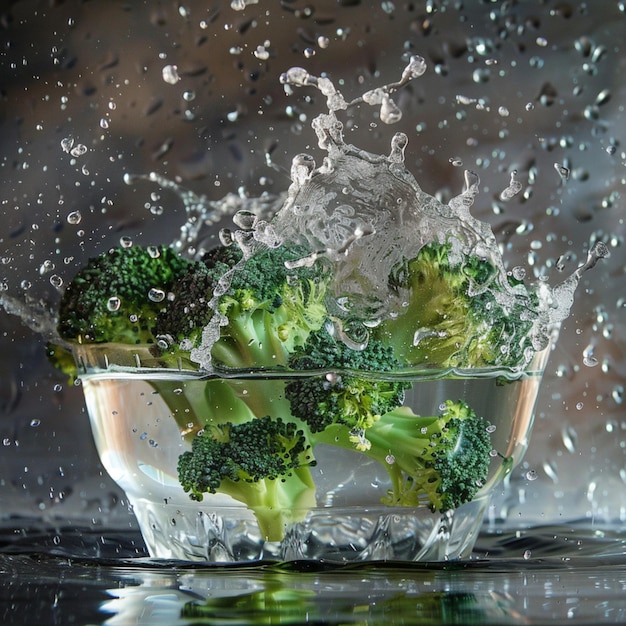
144 417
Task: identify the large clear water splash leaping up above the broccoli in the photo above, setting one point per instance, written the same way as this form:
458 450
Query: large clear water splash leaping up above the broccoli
365 213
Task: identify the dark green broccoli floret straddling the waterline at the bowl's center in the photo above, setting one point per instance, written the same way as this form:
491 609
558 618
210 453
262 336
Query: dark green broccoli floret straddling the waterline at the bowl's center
343 393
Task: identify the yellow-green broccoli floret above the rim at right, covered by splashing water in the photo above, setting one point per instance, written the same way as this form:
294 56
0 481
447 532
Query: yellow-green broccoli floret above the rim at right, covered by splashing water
459 312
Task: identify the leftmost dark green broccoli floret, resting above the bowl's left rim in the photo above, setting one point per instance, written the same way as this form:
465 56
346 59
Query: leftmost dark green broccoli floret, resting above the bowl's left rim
118 295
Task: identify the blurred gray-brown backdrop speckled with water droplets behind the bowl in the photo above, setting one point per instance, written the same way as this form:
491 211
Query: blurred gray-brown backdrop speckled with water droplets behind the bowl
534 87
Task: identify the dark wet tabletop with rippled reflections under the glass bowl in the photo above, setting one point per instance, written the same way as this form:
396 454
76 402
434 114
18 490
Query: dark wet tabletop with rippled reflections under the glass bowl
549 575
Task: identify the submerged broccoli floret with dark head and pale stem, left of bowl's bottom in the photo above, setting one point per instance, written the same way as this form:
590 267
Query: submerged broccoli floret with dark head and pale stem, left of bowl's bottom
263 463
